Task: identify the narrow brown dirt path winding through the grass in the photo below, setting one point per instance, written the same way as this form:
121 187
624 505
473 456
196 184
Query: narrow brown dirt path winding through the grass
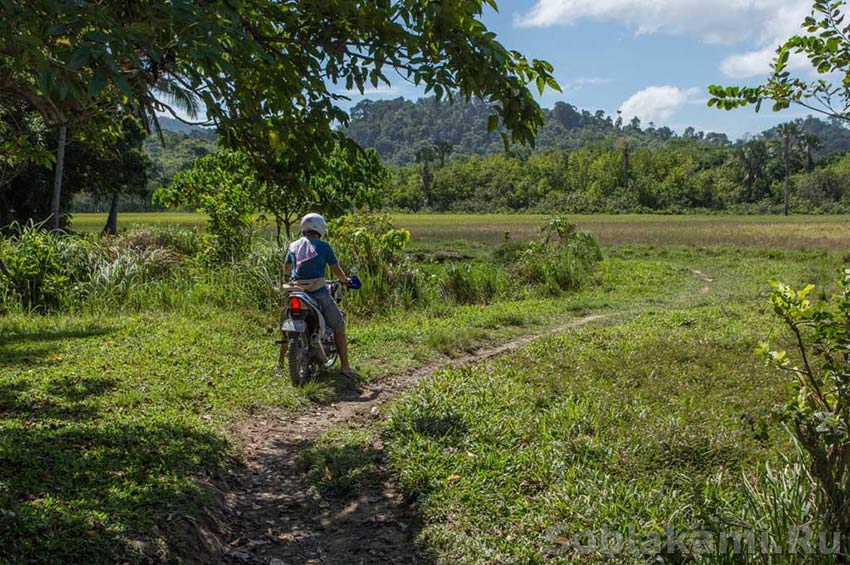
275 517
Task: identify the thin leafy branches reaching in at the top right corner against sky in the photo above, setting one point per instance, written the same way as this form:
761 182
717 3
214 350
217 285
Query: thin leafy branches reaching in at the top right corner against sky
826 44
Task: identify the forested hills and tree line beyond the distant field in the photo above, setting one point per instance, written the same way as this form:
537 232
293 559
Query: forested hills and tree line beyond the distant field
584 162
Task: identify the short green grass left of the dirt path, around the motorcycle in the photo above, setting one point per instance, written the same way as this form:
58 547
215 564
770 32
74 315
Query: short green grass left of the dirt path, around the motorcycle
112 423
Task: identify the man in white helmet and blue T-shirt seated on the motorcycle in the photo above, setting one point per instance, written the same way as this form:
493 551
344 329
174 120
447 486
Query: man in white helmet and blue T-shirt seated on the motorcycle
306 262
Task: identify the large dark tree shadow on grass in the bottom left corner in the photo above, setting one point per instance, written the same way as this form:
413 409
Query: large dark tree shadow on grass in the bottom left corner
79 485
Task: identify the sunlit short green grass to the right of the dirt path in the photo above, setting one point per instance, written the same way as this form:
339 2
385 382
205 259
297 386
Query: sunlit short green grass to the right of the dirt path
643 421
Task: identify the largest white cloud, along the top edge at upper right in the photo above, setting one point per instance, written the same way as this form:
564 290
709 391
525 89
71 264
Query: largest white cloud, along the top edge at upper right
765 23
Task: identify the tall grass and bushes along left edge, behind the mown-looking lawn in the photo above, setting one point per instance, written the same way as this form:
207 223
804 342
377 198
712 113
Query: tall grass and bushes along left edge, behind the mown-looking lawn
144 269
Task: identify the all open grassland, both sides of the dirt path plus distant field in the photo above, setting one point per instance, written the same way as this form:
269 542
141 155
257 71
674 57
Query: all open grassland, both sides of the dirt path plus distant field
113 423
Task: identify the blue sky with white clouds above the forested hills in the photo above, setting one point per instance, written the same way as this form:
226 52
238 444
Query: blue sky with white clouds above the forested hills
650 58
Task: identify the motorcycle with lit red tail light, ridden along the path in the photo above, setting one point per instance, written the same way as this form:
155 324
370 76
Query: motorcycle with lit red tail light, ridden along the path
307 343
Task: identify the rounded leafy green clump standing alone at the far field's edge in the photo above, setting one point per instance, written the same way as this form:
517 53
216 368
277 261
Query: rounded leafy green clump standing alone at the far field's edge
562 260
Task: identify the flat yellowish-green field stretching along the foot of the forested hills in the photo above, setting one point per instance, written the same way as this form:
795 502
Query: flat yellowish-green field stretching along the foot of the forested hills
476 231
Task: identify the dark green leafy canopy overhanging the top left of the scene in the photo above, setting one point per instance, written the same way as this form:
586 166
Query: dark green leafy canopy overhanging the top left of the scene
265 72
